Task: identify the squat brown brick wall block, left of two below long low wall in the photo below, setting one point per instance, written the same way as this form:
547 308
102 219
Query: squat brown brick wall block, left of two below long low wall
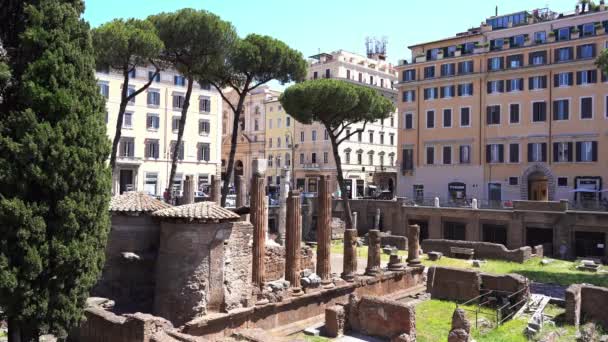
453 283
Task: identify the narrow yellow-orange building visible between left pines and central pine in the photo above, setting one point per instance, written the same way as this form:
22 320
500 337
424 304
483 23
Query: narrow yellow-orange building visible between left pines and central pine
279 142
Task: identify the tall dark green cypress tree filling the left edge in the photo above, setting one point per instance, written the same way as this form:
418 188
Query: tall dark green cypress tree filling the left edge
54 181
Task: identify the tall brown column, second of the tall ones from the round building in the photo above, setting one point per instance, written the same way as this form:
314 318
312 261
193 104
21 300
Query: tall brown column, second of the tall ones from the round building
293 241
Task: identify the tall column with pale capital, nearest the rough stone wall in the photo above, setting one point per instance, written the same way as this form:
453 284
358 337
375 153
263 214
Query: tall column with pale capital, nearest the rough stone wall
258 220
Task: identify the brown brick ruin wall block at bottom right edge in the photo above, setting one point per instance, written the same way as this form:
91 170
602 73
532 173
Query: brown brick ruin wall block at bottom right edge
588 303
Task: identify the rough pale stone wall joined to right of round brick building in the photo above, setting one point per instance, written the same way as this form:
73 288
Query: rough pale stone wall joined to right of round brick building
237 266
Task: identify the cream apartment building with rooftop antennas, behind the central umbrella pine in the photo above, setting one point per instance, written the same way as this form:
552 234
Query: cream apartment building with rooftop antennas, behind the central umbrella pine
368 158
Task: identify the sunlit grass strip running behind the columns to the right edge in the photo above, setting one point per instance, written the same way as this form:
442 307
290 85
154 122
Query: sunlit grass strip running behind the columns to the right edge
557 272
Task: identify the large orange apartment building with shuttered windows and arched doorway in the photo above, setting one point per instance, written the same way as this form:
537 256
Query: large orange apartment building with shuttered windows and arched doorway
512 109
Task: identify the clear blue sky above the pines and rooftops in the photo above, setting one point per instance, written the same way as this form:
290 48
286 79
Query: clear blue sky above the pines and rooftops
326 25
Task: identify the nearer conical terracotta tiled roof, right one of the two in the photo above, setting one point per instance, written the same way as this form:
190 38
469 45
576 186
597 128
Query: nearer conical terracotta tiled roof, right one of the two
198 211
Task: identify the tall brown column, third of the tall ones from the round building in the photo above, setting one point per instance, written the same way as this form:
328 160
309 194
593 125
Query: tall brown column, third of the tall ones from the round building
324 232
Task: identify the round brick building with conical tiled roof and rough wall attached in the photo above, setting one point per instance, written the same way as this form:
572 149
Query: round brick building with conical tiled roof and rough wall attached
204 262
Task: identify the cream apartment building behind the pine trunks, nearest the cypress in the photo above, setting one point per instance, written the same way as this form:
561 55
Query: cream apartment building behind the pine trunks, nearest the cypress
149 131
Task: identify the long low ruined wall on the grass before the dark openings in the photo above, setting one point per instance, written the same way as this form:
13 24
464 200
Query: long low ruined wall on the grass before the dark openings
483 250
